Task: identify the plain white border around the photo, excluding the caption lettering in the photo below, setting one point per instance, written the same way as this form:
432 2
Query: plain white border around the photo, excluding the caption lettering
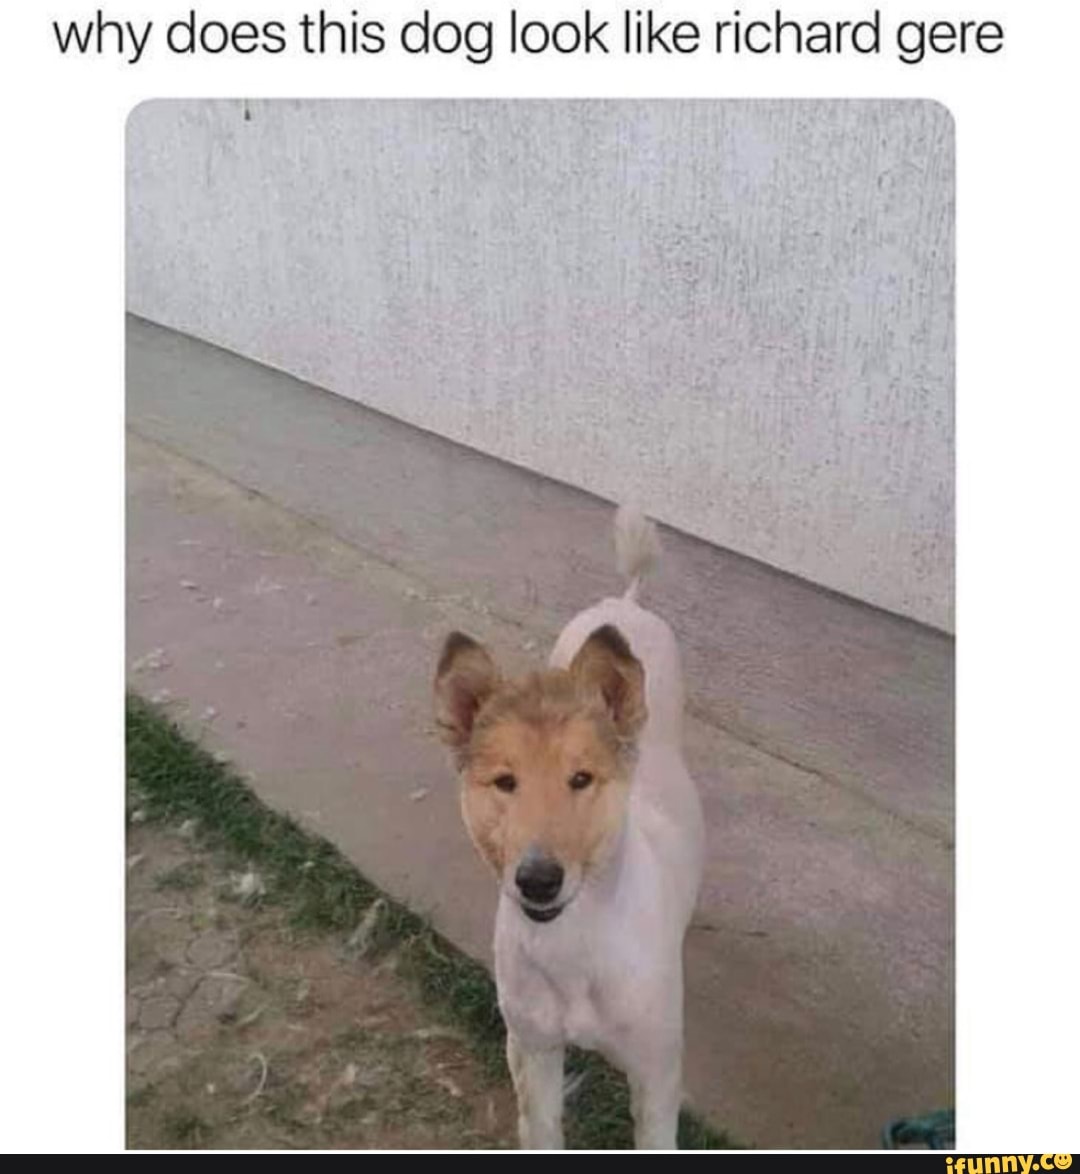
62 1081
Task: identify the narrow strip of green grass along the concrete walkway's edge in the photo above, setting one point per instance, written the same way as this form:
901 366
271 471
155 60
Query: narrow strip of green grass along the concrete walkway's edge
173 780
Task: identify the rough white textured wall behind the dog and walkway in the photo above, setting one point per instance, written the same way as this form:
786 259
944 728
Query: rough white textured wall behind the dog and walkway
739 313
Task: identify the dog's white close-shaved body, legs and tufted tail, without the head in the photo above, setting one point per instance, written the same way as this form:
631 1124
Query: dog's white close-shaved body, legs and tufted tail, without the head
607 974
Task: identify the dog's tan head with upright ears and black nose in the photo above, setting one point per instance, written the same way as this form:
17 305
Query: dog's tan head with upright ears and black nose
545 763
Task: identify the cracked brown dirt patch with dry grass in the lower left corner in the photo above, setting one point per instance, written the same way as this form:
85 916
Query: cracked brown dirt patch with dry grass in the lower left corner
245 1034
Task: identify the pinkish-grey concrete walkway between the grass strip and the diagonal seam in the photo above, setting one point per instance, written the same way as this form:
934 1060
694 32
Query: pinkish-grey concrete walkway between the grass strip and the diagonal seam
820 968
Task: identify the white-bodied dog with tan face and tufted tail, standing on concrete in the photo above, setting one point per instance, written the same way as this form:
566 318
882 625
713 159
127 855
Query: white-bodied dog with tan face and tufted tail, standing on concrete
575 791
